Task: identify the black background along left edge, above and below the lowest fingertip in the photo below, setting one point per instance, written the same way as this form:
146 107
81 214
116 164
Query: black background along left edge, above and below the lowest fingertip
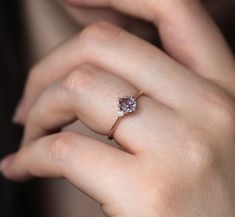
16 200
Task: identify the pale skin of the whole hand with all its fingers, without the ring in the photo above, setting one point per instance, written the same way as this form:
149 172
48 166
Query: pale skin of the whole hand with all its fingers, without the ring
176 155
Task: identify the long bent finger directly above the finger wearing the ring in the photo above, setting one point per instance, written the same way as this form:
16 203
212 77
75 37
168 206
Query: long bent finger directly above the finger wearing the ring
113 49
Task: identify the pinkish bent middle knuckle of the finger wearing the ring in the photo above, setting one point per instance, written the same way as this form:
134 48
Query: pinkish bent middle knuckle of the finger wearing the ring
79 80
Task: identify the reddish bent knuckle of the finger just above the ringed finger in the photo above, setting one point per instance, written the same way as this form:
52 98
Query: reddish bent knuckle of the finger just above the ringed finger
100 32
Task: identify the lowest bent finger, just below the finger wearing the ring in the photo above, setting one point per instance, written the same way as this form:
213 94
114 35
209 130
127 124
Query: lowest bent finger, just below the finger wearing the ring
90 165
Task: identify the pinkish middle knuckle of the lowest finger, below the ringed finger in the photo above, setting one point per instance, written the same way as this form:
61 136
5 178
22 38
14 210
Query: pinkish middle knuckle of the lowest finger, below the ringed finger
62 146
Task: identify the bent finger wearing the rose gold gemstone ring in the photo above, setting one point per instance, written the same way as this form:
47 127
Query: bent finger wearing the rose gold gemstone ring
92 96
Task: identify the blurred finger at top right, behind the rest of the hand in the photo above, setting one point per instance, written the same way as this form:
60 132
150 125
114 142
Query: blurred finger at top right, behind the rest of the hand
187 32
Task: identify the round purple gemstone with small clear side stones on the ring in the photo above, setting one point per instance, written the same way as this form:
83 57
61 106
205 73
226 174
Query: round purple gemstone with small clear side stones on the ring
126 105
